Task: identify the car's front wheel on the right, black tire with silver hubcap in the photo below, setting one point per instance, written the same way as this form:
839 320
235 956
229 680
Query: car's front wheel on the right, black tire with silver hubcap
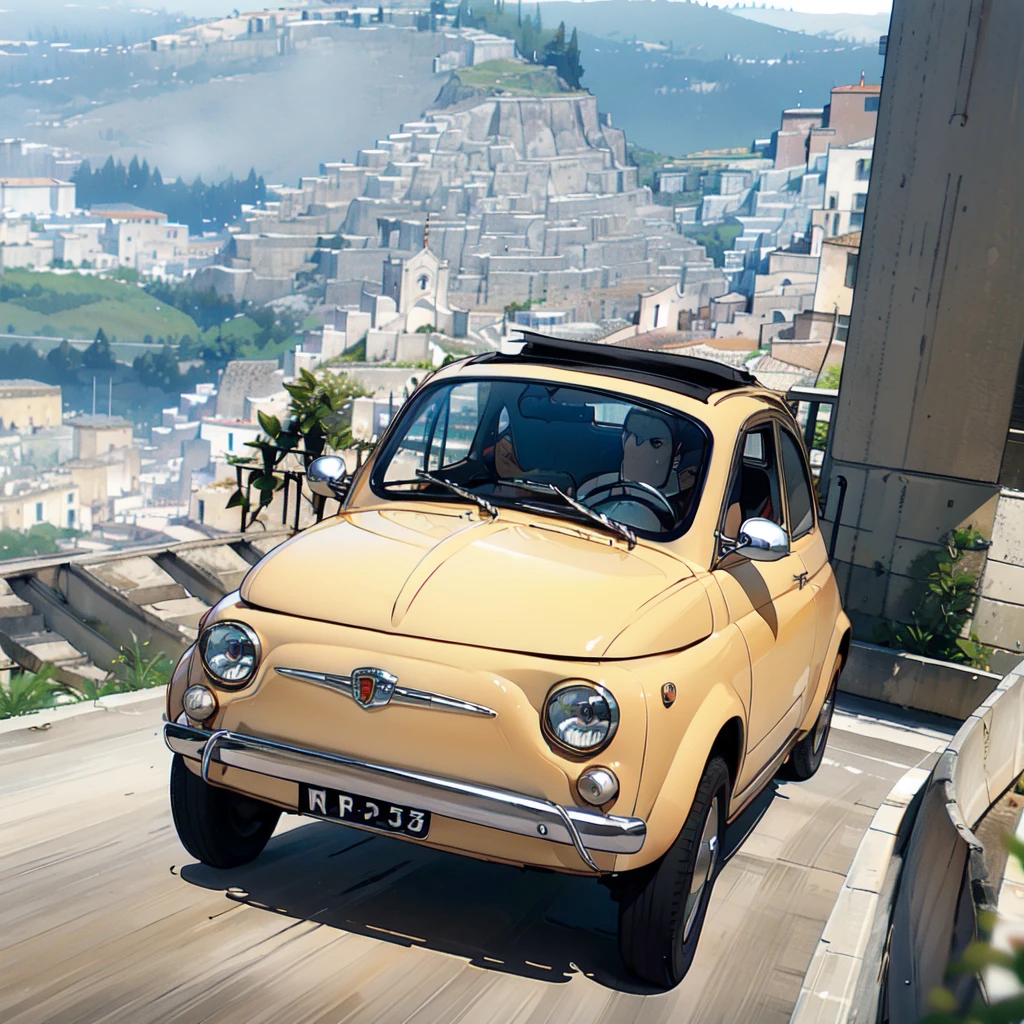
660 918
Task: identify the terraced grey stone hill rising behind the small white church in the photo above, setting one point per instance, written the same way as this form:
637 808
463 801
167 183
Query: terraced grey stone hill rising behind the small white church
526 199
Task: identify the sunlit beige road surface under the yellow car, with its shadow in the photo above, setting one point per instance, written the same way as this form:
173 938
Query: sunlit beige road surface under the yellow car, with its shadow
105 918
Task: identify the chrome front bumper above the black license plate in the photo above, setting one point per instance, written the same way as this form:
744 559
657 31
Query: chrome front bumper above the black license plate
513 813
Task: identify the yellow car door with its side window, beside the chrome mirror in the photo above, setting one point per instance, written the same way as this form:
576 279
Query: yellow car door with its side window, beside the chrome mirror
770 602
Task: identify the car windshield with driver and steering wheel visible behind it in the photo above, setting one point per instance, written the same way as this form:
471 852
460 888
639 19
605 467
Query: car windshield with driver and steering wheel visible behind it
514 443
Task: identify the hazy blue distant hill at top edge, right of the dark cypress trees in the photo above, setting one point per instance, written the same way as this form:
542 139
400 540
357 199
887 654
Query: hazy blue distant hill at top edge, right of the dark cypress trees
692 30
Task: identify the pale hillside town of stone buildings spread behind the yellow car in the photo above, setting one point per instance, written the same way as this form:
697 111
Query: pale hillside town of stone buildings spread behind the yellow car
493 214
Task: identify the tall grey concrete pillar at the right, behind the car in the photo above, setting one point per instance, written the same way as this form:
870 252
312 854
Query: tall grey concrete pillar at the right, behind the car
937 324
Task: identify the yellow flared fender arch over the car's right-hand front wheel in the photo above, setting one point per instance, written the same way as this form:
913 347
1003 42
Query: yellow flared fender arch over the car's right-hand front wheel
675 795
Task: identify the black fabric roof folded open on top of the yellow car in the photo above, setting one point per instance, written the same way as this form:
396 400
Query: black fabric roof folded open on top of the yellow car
685 374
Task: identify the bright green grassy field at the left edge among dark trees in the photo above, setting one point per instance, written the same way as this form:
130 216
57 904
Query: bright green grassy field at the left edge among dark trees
74 306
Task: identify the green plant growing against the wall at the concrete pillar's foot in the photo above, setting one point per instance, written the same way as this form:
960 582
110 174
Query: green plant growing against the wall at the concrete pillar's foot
940 621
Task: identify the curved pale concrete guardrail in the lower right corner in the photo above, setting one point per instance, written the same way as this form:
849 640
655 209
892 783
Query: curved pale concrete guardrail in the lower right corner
928 872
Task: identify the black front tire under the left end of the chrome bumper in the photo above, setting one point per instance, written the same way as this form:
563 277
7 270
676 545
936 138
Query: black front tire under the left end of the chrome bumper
220 828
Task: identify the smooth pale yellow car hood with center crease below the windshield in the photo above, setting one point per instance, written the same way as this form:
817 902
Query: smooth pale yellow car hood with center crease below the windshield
536 586
